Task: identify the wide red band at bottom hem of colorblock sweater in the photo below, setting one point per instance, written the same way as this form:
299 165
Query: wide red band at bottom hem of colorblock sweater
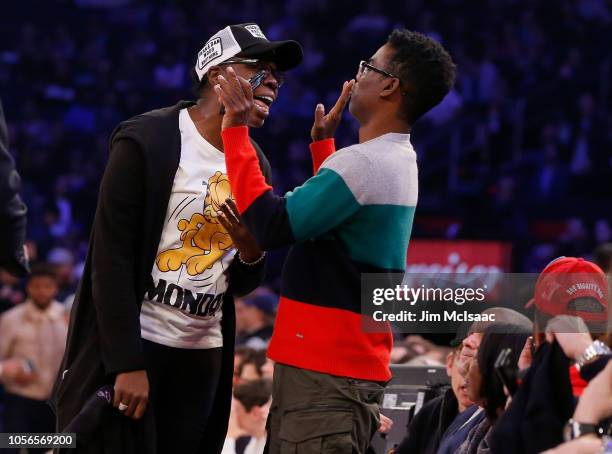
330 341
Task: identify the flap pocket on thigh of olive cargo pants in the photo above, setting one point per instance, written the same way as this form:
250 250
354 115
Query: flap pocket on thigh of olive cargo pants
317 430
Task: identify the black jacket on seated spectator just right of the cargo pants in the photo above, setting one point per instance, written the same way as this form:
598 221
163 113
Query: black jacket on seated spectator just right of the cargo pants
429 424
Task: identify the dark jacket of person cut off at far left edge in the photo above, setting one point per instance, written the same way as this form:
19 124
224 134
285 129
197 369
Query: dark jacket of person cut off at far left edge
12 210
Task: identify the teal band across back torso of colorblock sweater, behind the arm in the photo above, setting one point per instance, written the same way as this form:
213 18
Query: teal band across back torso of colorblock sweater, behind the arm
378 235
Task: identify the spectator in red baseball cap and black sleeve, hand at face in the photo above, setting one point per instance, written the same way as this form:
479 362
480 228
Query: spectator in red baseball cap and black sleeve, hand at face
571 304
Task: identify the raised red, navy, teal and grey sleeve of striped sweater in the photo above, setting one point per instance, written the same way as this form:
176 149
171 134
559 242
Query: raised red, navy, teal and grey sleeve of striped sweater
319 205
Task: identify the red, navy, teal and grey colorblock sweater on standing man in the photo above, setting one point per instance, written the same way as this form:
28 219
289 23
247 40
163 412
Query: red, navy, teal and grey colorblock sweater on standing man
354 216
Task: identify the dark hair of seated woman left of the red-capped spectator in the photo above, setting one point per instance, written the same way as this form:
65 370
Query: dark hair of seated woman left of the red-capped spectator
495 339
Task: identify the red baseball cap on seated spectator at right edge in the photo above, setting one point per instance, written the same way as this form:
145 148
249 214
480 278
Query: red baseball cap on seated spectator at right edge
566 279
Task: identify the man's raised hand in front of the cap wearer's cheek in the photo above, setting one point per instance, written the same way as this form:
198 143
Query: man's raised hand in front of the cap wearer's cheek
236 95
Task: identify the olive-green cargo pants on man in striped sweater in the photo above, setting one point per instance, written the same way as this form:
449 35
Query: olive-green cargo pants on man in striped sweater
314 413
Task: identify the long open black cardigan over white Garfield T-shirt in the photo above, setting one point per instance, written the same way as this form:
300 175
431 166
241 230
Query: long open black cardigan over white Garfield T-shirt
104 332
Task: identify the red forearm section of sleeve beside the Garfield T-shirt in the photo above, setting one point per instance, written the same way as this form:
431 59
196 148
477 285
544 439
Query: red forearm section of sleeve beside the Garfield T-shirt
246 180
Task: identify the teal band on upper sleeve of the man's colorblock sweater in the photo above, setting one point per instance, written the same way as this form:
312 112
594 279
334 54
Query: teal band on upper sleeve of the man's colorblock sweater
319 205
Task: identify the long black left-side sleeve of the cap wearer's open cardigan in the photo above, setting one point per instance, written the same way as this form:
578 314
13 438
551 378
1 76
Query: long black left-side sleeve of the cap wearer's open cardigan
117 227
